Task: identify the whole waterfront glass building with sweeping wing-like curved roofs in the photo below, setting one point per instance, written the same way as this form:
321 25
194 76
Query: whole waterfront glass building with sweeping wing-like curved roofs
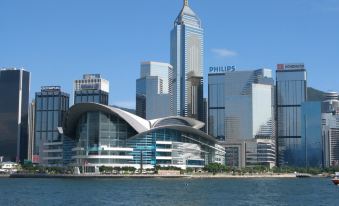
113 137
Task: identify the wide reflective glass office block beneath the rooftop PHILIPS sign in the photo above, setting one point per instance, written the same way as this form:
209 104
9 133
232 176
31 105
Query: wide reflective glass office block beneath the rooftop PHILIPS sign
241 104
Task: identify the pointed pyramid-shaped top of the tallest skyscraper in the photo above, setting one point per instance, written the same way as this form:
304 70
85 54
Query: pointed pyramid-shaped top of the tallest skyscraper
187 17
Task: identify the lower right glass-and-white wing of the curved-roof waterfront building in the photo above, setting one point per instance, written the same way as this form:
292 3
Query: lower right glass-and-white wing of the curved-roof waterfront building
172 147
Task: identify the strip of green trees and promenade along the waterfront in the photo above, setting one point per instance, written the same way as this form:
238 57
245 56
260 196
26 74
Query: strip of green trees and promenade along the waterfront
212 170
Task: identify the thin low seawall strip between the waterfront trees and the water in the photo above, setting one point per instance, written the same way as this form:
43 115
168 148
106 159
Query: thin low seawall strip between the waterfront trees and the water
139 176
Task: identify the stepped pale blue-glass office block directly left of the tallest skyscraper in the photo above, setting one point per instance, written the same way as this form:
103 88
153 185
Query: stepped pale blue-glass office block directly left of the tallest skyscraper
154 96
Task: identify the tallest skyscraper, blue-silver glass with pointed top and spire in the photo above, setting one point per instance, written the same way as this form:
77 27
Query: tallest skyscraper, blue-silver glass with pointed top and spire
187 56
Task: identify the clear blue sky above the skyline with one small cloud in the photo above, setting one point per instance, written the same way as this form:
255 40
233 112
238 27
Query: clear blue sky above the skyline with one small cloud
58 41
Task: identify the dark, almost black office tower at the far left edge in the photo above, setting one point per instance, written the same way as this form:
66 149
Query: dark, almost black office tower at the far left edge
14 92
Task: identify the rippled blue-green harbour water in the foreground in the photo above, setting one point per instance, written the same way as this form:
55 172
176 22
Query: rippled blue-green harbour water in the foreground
195 192
